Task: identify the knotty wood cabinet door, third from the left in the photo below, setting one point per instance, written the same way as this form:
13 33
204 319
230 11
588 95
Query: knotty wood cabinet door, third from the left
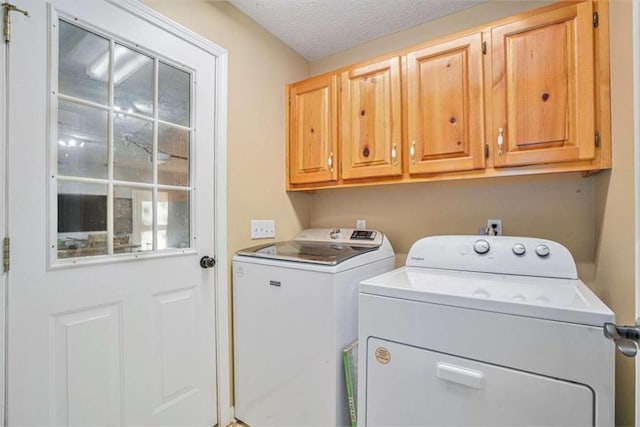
445 107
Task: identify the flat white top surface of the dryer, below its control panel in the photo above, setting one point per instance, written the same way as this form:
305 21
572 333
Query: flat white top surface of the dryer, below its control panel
566 300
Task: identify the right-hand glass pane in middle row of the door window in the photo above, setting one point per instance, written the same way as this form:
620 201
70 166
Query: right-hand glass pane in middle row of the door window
173 155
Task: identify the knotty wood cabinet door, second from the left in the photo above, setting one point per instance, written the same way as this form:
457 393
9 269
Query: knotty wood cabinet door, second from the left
371 123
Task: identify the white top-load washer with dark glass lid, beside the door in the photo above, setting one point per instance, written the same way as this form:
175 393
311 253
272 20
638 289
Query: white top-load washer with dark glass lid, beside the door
295 307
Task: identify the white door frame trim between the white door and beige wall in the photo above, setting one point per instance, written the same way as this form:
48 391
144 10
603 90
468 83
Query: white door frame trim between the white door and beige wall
222 302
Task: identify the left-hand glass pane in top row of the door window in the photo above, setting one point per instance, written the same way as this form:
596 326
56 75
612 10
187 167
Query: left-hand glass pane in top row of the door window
83 59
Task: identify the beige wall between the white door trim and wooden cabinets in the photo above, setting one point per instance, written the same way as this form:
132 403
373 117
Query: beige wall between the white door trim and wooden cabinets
260 66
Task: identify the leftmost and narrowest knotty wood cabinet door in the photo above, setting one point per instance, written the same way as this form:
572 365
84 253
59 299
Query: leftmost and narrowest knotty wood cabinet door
313 131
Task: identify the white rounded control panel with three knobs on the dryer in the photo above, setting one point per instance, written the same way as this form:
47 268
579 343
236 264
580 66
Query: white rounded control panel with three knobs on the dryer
526 256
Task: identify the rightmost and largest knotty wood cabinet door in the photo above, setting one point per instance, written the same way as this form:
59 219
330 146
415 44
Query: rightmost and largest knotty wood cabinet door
543 88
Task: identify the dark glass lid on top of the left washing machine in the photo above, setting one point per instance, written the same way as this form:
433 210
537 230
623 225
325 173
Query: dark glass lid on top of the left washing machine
309 252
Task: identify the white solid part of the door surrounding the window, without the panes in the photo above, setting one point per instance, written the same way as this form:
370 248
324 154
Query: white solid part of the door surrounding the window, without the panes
128 339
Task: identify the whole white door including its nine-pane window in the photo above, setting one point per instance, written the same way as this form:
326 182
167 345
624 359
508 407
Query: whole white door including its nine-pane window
110 207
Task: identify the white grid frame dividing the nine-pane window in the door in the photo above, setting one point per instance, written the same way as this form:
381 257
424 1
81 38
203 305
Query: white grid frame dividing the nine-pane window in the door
56 96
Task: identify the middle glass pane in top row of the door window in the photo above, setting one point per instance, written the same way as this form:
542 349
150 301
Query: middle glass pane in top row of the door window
133 81
